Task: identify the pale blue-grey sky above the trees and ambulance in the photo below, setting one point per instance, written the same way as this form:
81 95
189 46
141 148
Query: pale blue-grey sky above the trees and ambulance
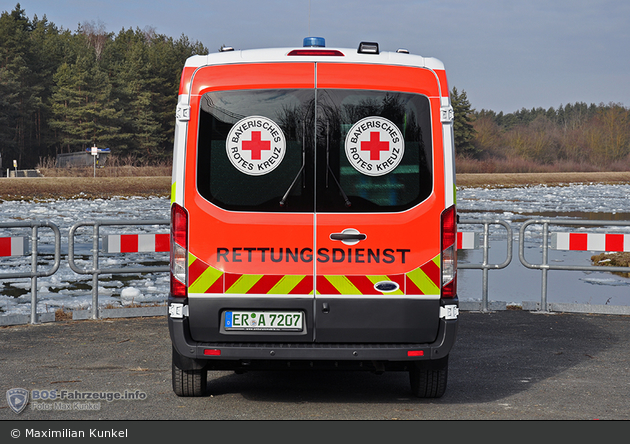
506 55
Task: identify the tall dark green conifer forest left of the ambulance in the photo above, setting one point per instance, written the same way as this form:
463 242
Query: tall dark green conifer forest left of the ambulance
64 91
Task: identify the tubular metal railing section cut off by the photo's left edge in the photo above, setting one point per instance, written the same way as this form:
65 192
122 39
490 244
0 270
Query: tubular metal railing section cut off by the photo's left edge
34 273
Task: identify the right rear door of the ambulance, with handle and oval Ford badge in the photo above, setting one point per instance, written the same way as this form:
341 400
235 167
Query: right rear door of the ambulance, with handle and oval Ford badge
379 196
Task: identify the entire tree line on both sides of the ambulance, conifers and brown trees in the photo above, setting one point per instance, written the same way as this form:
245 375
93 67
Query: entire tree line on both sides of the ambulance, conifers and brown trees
64 91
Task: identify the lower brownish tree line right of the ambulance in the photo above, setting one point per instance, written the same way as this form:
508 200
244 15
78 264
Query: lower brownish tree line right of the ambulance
572 137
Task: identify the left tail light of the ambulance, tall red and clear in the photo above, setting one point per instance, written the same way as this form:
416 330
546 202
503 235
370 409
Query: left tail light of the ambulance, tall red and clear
179 251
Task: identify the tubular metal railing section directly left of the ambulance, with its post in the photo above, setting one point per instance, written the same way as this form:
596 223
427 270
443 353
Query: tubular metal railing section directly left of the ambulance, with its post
95 271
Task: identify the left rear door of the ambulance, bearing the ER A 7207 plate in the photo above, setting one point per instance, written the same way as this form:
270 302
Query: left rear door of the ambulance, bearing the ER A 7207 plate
250 197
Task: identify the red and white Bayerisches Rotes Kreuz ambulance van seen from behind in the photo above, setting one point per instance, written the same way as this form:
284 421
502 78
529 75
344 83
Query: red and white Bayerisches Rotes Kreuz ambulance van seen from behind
313 215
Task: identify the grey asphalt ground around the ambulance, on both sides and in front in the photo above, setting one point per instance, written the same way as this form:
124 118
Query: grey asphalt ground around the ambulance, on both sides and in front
506 365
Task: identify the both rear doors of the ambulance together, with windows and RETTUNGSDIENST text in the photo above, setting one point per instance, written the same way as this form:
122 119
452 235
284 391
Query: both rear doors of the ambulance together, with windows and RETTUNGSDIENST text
312 188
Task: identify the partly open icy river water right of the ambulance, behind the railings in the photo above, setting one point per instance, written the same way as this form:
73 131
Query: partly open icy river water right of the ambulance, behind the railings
516 283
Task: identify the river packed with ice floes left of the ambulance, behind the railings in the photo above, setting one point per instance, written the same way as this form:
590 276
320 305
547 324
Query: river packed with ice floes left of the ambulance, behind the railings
67 289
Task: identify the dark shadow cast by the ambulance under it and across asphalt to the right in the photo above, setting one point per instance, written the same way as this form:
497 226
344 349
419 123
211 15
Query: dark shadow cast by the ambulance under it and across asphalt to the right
496 355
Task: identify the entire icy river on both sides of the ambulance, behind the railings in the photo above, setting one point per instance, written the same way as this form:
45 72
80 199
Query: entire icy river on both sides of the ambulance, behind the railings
69 290
